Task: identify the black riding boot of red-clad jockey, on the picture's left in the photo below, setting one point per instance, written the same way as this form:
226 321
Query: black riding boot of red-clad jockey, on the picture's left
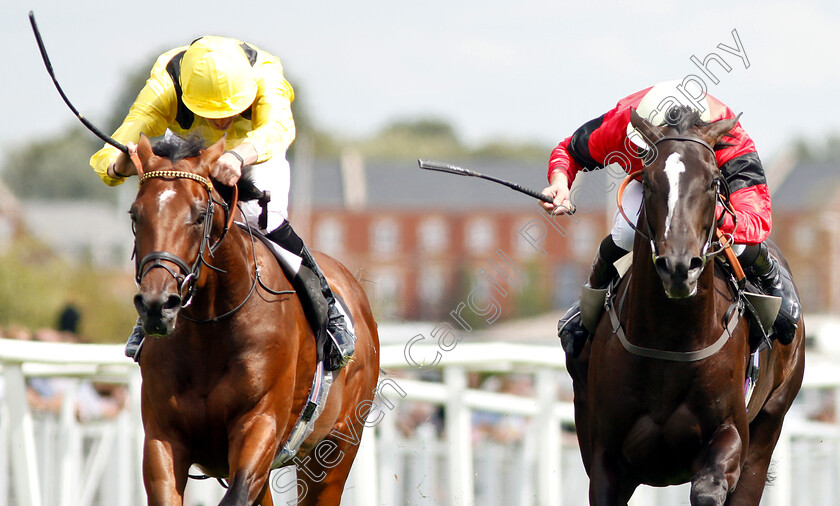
571 330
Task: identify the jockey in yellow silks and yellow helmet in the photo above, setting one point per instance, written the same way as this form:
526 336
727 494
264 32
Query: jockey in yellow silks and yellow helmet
222 87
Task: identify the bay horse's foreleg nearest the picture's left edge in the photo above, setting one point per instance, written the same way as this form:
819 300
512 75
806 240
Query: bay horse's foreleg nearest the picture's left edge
165 468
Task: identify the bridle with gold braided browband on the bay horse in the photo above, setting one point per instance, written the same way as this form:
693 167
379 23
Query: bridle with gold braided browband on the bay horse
187 276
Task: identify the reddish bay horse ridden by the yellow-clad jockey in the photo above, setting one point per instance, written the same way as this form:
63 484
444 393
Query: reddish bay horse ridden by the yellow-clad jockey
231 357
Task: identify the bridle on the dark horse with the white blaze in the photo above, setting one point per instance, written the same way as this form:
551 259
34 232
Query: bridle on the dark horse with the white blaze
721 195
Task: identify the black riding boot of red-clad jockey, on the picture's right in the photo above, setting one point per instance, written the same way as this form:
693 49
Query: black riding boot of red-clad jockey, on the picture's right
772 278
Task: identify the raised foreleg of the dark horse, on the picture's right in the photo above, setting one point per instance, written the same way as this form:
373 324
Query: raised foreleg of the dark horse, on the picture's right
721 469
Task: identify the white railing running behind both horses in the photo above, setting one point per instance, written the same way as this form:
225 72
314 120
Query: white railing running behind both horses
58 460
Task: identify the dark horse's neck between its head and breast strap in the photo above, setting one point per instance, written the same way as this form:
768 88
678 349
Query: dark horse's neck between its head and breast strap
649 308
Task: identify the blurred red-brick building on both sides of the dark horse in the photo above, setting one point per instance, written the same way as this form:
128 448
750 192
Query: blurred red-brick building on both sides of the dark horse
426 242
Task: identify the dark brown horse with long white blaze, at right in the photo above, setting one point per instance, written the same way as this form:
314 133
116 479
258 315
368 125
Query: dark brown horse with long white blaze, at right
667 405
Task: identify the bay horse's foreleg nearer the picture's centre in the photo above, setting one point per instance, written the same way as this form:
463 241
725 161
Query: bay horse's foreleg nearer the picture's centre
252 448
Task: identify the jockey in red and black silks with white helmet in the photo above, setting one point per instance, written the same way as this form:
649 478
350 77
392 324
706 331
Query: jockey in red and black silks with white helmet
611 138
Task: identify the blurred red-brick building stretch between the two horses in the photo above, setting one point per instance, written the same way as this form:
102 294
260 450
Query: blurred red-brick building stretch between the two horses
425 243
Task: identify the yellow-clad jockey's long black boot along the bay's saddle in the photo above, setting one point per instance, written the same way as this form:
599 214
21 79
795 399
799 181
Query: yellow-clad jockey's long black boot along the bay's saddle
320 305
